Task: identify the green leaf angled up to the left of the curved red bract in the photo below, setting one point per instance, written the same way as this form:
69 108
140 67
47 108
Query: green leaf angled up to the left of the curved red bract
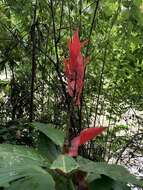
55 135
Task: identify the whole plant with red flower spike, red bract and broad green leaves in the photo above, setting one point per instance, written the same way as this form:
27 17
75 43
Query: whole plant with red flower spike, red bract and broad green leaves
54 163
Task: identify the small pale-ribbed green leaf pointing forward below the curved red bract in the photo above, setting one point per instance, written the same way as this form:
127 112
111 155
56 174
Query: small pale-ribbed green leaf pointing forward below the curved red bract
65 164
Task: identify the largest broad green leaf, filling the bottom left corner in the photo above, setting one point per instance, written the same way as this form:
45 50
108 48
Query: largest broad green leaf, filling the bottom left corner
16 160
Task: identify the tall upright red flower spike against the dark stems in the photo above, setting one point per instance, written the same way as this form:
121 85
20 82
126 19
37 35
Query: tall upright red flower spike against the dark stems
74 69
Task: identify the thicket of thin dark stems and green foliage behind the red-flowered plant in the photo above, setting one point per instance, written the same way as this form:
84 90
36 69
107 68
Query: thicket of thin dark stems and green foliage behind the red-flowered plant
33 44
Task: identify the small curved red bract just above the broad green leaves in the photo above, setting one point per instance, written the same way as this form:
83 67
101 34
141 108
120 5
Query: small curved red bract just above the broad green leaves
84 136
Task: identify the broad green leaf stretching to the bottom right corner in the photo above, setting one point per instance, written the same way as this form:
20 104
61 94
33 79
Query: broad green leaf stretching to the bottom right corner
96 169
